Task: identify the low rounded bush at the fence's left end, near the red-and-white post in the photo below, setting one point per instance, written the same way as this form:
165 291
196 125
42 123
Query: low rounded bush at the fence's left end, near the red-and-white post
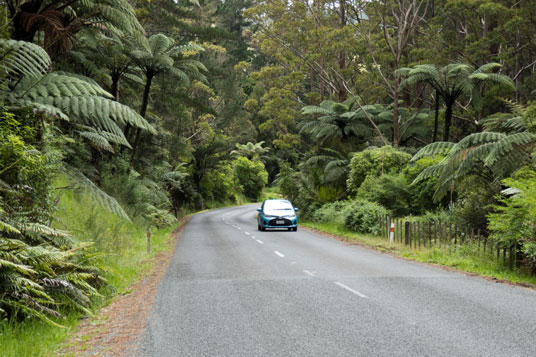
362 216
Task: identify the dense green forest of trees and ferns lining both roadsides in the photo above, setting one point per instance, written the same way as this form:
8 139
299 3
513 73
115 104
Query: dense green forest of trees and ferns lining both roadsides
348 108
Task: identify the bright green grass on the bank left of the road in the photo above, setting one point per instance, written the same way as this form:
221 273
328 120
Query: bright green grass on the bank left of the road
121 249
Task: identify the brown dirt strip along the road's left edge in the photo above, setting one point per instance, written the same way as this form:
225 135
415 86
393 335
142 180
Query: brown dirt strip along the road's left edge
118 328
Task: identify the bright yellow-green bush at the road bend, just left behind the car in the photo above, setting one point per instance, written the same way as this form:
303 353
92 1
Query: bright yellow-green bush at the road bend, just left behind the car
251 175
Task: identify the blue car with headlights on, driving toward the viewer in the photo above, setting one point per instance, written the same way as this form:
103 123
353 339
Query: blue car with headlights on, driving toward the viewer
277 213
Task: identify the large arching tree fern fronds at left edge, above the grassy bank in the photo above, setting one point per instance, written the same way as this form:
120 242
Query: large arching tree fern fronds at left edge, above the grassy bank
71 97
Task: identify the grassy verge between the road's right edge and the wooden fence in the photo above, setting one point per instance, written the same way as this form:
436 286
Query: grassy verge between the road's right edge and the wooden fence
464 258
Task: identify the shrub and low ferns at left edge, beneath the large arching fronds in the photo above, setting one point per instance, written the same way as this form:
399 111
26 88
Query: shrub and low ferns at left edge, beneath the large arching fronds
44 272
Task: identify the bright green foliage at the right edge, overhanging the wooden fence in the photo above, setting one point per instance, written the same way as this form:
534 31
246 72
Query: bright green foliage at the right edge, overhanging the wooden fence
514 222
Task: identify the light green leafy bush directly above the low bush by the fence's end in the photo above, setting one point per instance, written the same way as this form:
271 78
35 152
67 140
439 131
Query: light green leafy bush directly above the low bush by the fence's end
375 162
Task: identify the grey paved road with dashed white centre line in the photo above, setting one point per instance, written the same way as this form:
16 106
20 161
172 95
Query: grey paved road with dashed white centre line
234 291
